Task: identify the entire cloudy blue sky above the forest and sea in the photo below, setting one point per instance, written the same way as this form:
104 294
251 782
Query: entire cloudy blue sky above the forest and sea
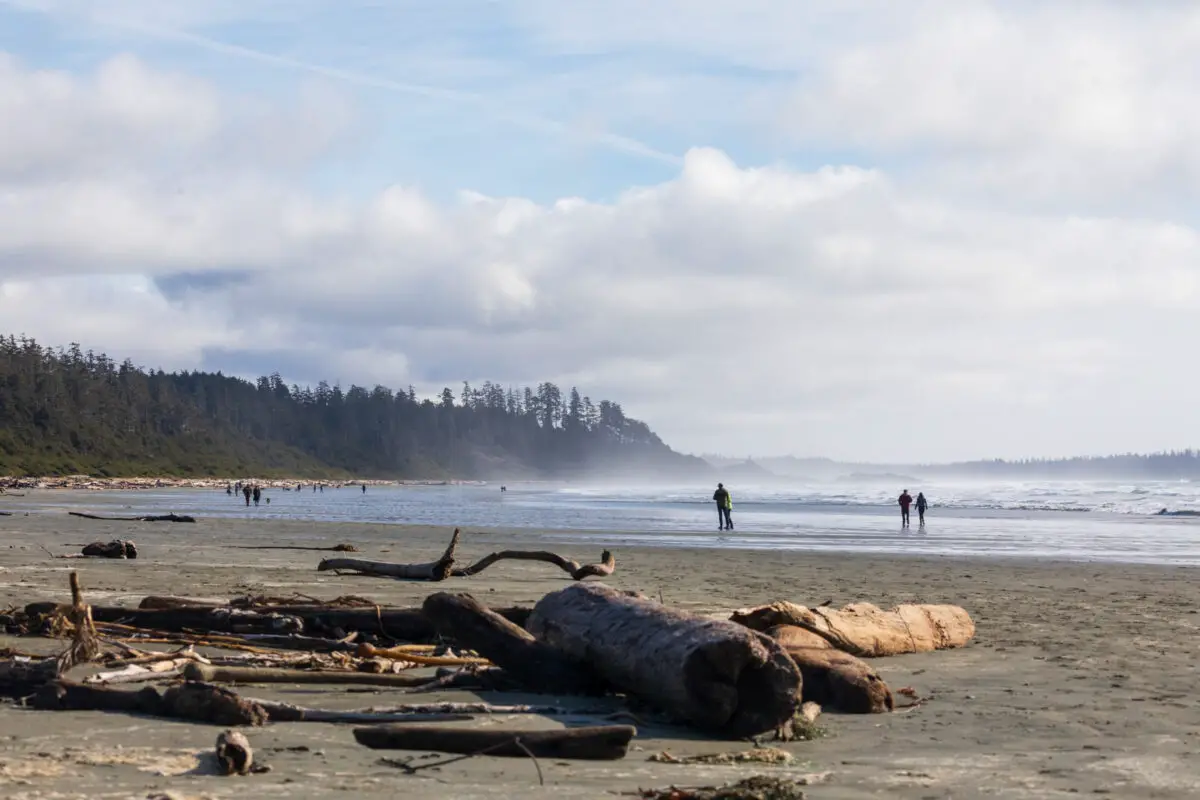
866 230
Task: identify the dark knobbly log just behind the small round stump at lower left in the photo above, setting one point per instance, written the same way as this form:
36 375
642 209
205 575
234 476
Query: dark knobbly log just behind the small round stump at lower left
194 702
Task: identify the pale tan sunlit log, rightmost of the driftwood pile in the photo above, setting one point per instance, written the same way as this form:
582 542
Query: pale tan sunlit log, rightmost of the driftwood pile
868 631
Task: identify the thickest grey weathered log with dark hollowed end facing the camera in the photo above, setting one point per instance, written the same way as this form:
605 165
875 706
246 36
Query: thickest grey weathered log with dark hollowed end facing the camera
715 675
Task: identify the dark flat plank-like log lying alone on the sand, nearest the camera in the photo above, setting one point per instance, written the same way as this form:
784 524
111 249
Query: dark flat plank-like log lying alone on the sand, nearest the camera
598 743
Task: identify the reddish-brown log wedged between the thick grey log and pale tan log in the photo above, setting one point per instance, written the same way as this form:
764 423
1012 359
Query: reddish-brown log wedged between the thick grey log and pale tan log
832 678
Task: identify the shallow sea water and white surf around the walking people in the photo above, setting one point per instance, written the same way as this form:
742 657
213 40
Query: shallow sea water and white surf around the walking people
1112 521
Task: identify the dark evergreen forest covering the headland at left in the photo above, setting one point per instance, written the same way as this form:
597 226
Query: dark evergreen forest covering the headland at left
73 412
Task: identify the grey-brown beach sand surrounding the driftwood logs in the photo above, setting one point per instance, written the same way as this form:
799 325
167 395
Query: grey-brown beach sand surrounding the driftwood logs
1079 682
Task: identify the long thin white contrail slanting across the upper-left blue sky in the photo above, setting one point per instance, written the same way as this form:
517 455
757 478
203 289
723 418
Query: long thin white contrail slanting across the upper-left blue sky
613 141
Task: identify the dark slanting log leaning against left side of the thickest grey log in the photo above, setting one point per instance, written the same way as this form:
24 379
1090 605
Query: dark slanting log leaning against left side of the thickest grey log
532 664
